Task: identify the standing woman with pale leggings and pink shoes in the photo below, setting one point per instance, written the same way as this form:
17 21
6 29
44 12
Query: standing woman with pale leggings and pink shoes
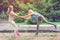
11 14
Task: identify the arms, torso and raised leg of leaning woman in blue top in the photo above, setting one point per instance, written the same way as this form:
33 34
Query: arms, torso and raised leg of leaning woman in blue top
36 16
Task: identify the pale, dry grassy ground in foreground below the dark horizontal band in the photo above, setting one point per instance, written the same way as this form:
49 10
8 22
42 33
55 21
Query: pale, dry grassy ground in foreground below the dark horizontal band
31 36
